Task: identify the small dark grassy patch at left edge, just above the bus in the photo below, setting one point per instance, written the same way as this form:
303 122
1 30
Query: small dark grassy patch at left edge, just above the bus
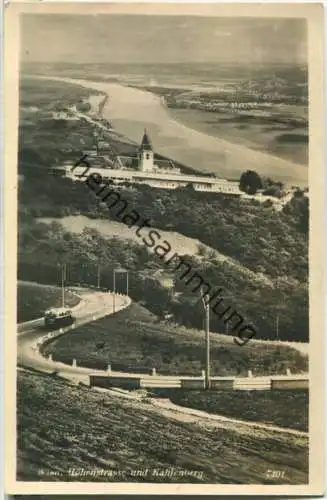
33 299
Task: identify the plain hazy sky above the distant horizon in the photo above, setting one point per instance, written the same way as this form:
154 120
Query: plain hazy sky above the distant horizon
148 38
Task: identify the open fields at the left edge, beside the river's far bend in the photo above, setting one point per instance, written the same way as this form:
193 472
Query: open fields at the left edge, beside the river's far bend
44 141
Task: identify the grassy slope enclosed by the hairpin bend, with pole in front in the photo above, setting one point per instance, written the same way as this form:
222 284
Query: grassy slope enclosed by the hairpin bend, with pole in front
132 339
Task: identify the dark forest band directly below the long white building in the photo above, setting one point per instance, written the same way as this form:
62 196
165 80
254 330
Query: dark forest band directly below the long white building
265 241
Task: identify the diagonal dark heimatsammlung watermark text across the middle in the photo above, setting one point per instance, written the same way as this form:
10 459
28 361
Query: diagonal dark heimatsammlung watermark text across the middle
162 248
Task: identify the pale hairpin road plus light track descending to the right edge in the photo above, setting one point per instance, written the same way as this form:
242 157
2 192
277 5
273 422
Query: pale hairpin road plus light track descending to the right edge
95 305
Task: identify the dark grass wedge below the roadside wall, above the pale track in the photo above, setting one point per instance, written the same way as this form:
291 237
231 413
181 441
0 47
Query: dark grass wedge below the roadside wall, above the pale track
284 408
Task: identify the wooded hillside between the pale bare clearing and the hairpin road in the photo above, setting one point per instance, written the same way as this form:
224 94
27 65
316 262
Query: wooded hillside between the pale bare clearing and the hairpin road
259 301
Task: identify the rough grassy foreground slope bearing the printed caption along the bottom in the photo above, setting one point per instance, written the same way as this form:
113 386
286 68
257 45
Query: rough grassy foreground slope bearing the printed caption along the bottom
62 427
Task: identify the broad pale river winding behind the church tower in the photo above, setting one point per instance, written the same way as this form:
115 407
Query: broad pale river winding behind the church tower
132 110
